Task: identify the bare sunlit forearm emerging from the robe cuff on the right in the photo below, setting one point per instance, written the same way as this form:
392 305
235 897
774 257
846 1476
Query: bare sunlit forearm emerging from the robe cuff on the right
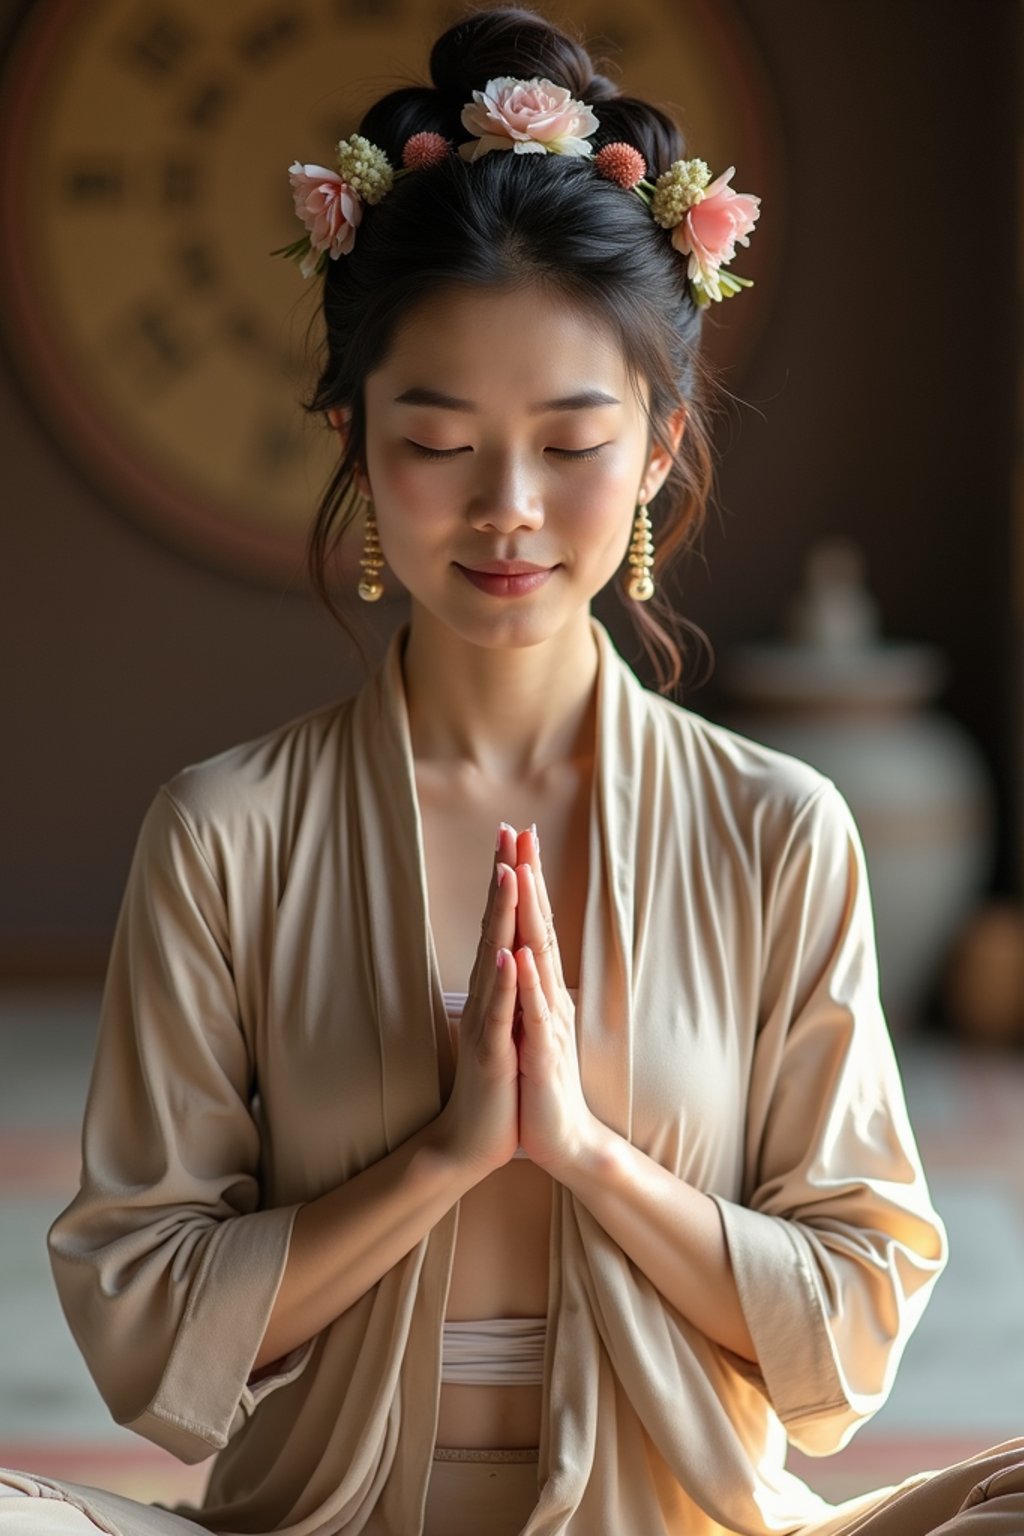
672 1231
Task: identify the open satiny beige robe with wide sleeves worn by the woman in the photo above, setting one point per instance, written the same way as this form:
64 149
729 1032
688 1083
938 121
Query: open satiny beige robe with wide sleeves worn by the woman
274 1022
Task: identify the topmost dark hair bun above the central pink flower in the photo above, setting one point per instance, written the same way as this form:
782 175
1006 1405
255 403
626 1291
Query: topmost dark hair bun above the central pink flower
512 42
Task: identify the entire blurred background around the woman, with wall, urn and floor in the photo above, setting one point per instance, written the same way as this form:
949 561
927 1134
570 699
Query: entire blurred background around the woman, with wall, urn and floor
860 578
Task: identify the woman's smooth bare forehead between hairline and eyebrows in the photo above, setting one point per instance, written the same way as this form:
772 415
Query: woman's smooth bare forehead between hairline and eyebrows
526 339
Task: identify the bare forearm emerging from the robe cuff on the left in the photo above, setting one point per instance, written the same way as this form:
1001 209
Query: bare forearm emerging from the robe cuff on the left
346 1240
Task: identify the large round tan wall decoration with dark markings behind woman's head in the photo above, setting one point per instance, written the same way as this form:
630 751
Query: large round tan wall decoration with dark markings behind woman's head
145 184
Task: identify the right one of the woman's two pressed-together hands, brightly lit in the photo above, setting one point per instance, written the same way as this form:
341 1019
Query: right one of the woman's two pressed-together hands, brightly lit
555 1122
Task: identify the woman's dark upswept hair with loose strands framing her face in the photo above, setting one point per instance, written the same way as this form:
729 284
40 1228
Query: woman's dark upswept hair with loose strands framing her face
506 222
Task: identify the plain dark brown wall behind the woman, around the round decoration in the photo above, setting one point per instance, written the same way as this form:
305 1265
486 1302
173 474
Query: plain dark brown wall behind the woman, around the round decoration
884 392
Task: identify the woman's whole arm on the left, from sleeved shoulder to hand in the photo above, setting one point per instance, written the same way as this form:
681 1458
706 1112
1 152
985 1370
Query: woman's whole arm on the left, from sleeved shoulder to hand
177 1283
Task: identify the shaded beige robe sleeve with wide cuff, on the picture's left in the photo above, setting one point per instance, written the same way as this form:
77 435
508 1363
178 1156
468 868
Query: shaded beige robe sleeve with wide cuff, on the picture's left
165 1263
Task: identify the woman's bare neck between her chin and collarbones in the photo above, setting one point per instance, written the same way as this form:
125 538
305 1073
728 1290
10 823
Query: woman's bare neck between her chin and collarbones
507 712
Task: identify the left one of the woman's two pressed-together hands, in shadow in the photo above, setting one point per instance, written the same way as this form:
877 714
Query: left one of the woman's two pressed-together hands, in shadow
480 1125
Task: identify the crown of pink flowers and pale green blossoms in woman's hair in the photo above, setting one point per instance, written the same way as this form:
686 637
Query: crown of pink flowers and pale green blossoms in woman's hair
532 118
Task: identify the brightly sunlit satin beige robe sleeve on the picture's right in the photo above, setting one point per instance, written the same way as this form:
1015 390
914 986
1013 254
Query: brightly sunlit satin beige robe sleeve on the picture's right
836 1245
